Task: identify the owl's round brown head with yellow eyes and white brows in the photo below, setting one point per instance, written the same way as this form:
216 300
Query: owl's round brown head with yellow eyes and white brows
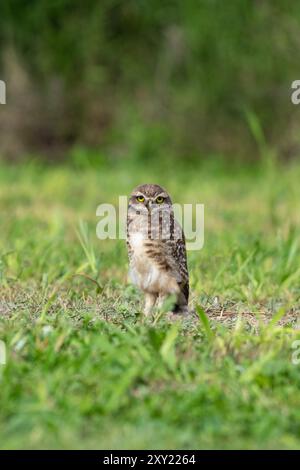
150 197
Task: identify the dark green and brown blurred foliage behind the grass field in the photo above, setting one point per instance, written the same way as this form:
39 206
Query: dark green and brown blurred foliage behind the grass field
146 79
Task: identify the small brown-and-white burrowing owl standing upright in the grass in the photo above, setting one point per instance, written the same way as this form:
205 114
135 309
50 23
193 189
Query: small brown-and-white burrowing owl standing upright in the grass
156 248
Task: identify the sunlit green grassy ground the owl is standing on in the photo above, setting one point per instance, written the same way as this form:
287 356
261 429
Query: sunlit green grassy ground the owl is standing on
85 370
